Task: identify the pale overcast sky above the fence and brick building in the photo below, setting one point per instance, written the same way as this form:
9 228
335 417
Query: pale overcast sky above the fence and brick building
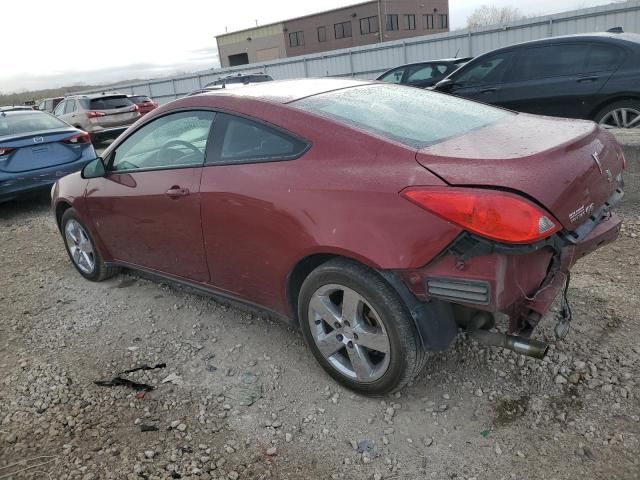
51 43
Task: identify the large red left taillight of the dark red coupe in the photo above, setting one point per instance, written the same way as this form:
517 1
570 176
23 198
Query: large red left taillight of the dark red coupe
500 216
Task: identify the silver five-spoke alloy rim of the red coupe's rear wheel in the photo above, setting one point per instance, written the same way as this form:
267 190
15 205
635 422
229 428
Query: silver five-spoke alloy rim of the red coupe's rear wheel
349 333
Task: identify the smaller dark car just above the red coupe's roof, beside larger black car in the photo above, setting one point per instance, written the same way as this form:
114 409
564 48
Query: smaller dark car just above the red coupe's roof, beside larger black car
423 74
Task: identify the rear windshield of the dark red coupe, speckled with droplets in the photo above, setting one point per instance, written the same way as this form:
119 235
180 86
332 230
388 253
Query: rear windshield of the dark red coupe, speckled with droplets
412 116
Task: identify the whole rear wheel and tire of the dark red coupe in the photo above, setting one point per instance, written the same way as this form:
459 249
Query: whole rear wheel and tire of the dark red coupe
358 328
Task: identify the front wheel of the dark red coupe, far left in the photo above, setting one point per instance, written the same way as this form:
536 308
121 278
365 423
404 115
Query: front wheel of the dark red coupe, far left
81 249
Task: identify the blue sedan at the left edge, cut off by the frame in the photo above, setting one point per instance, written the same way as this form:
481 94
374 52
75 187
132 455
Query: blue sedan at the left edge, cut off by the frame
36 149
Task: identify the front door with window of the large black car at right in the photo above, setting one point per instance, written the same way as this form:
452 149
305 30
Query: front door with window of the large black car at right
481 79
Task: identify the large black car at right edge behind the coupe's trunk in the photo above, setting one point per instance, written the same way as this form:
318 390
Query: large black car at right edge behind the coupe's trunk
589 76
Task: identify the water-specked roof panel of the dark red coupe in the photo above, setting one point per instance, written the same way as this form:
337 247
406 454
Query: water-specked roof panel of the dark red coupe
285 91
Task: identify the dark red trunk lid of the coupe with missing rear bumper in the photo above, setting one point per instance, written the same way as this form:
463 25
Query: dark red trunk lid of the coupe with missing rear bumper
570 167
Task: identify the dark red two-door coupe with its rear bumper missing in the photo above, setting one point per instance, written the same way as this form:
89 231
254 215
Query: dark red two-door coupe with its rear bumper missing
377 218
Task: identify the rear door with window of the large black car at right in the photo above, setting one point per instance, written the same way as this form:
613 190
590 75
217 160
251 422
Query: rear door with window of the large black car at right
550 80
